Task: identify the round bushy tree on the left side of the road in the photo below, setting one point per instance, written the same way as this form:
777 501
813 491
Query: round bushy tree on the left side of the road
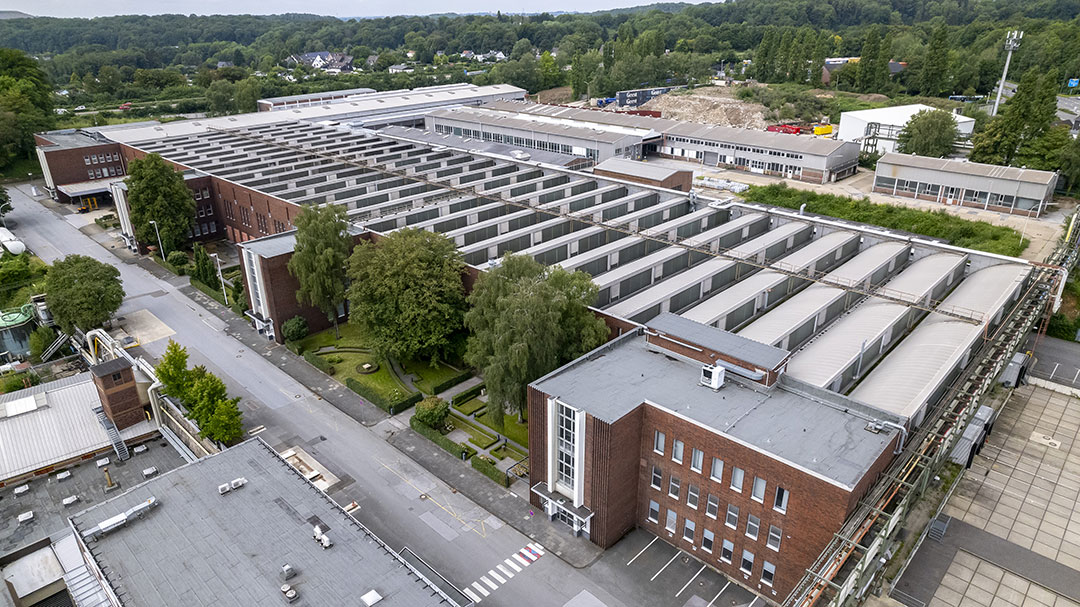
83 292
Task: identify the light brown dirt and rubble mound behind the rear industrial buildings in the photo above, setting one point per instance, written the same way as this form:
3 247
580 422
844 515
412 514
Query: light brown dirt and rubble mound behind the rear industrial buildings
710 105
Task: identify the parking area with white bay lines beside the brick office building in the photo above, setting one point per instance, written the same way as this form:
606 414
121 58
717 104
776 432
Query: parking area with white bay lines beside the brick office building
663 575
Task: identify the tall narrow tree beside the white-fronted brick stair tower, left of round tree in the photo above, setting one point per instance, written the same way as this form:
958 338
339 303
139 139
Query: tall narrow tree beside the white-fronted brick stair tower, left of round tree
319 261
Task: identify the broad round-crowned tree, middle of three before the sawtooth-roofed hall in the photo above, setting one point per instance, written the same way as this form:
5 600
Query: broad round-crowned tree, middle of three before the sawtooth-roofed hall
407 293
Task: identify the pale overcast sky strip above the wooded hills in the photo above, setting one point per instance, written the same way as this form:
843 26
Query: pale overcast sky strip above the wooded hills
364 8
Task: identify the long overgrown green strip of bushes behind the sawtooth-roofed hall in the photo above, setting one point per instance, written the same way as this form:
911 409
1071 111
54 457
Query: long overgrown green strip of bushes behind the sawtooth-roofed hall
935 224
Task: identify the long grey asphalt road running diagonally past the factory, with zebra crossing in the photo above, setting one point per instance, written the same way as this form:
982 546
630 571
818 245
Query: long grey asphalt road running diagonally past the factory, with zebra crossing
402 503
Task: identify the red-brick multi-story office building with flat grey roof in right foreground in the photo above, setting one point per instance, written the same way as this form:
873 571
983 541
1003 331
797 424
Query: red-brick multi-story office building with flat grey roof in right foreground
752 474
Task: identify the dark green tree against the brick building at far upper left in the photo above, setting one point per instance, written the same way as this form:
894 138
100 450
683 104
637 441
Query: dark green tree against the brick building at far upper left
157 193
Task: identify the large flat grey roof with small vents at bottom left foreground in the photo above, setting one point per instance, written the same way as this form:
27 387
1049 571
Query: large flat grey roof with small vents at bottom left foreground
200 548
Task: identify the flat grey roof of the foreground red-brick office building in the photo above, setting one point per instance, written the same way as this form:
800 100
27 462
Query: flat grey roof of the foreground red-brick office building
800 431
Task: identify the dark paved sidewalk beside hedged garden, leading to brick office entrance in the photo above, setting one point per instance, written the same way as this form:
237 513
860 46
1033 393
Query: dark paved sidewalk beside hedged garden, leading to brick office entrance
503 503
